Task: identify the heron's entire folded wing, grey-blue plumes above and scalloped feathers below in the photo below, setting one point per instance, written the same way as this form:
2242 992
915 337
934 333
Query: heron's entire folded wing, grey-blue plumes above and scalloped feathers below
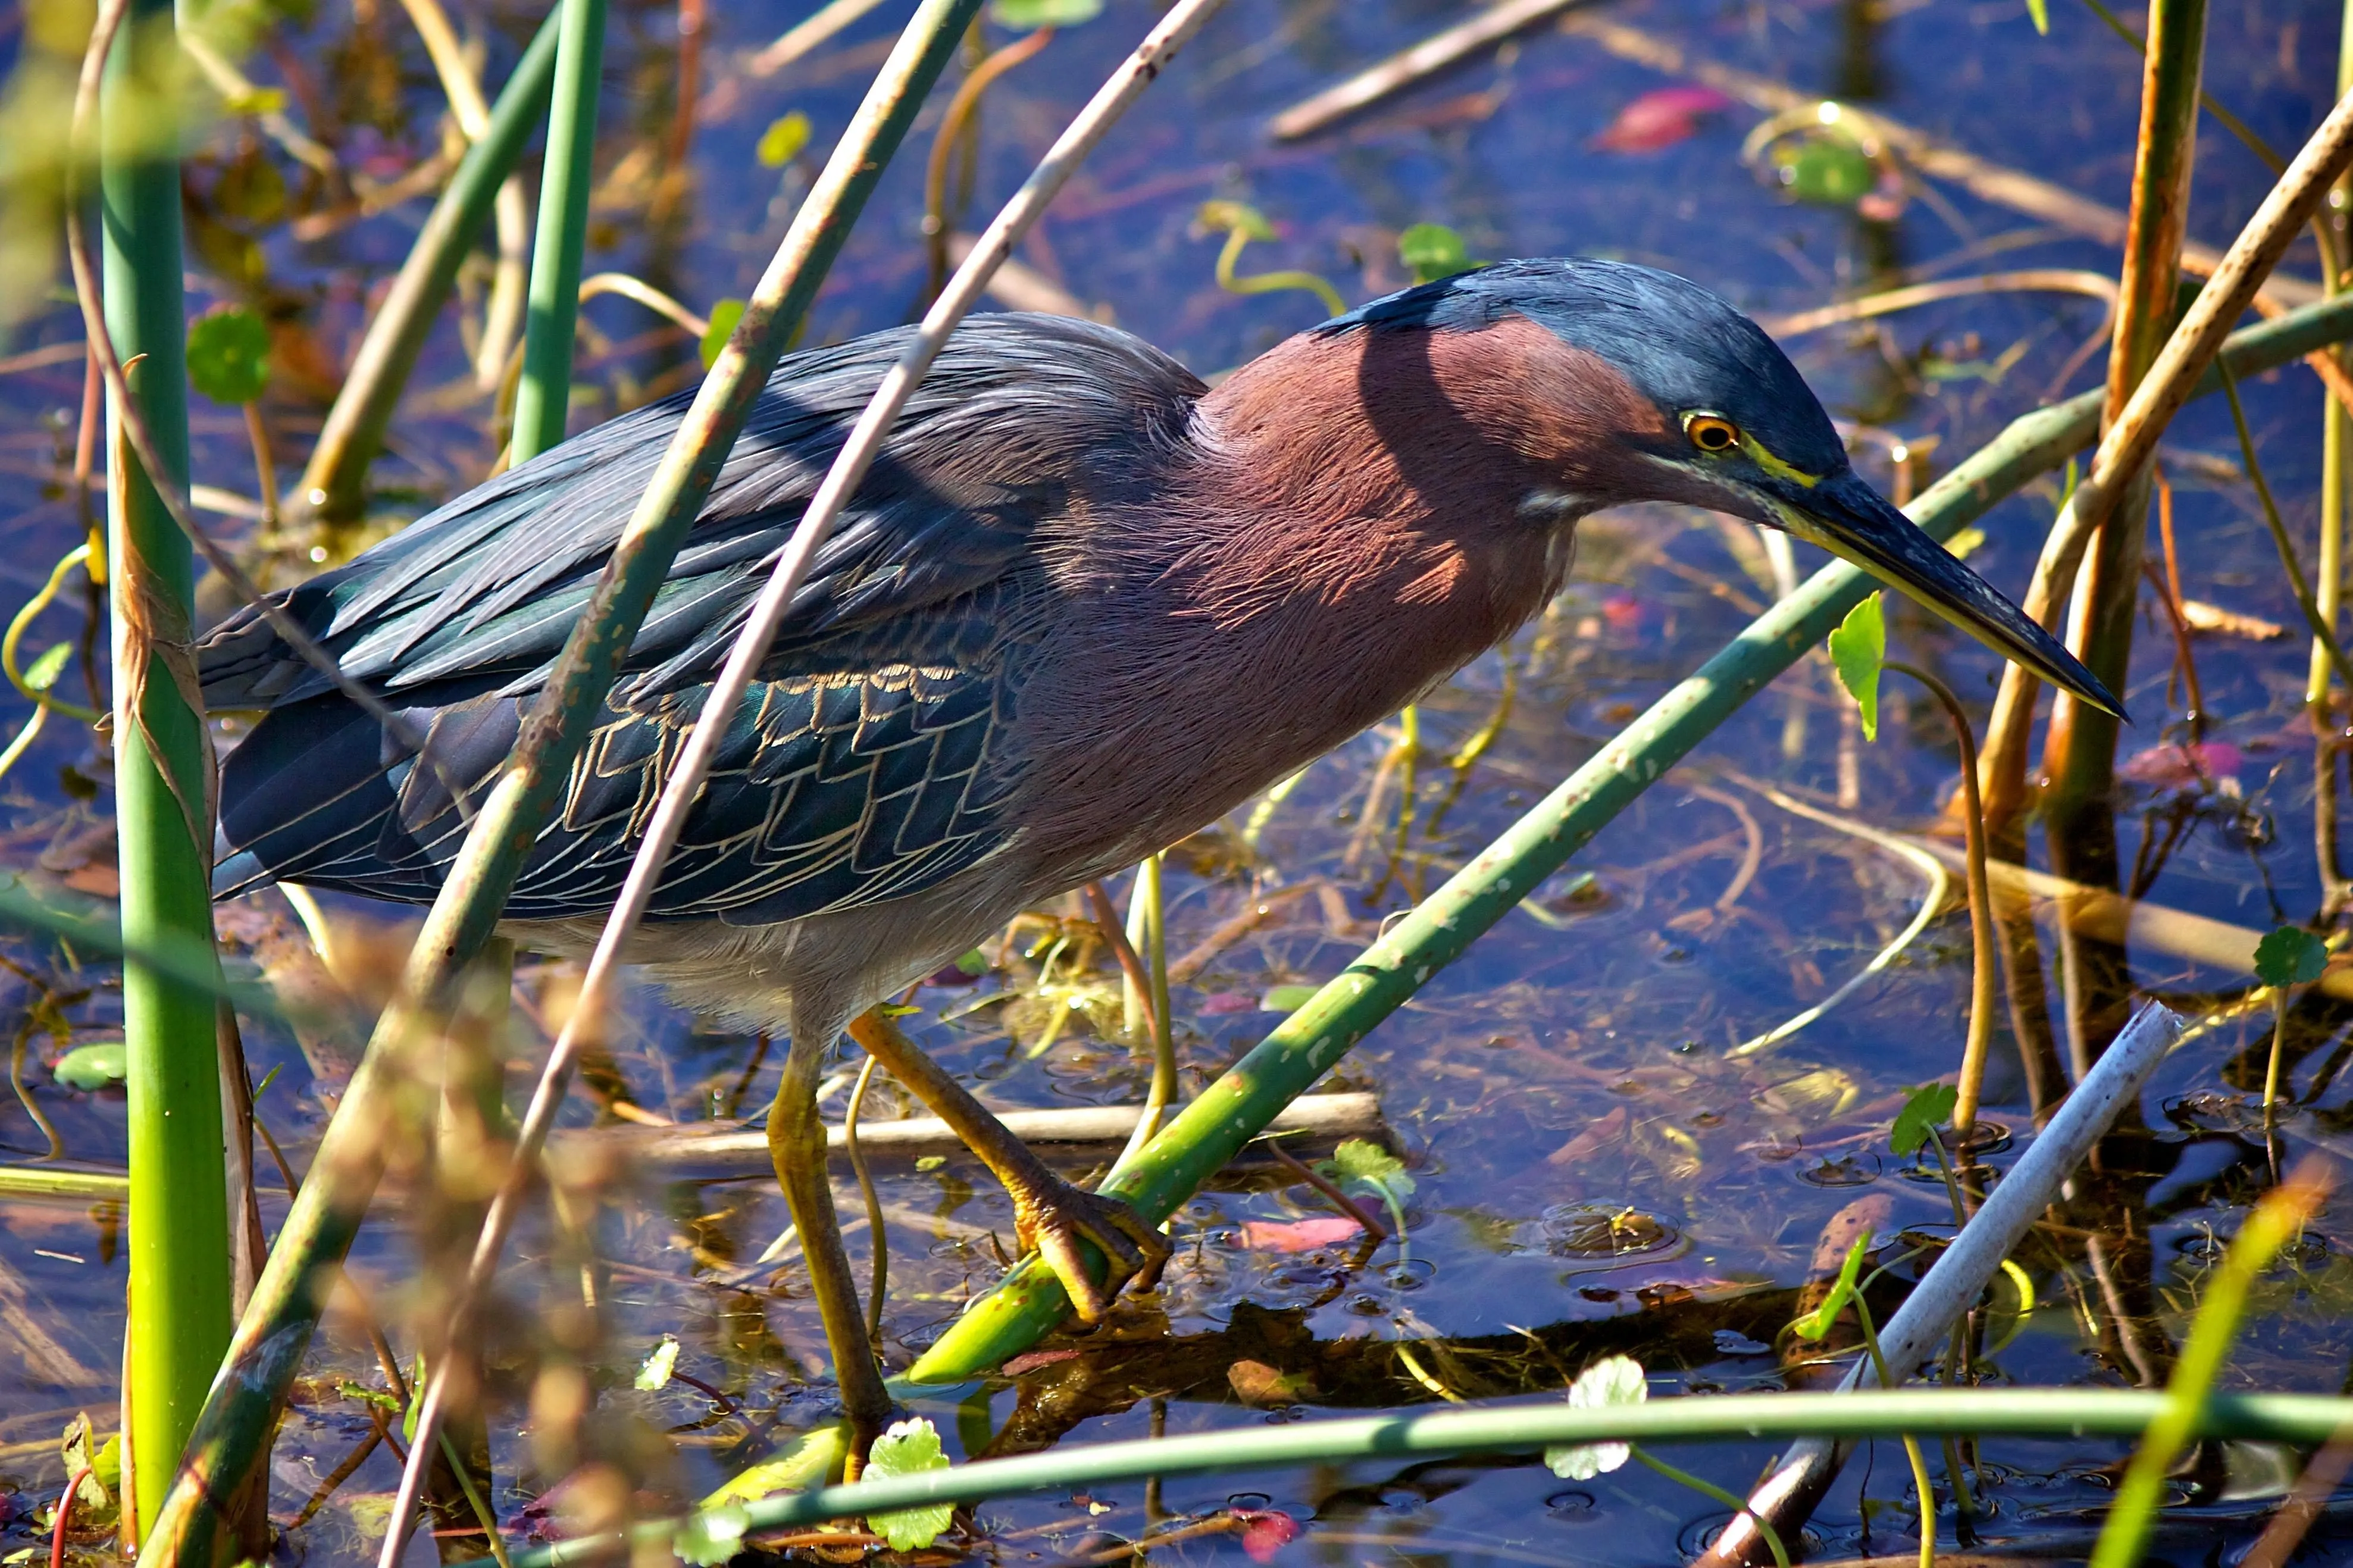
872 759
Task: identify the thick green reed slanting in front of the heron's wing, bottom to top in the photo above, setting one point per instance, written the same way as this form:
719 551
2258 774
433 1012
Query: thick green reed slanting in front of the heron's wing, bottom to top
232 1440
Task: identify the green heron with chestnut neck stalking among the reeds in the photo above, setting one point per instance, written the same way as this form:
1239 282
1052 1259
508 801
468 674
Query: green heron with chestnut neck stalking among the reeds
1034 651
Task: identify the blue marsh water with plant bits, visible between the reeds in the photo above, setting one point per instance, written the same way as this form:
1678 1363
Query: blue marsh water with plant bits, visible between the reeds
1592 1164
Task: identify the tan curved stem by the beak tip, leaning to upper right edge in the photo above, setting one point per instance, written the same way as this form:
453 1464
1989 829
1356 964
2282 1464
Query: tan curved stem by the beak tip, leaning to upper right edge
2131 439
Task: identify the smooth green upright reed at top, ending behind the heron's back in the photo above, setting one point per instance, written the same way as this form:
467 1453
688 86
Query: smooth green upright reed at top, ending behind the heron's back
566 182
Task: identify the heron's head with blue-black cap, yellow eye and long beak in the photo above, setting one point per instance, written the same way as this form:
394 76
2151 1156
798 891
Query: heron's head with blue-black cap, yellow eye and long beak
1669 394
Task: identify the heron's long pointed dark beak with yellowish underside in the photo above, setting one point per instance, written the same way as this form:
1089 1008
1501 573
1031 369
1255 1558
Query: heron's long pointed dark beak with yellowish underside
1851 519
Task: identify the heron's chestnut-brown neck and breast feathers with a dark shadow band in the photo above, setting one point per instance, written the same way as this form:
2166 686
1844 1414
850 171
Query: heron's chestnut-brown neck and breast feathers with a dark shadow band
1340 500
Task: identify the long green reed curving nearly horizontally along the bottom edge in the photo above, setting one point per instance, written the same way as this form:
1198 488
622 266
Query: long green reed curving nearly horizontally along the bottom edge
1524 1428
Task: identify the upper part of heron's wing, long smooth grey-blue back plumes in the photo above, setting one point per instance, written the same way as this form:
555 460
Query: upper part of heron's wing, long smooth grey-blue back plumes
1018 416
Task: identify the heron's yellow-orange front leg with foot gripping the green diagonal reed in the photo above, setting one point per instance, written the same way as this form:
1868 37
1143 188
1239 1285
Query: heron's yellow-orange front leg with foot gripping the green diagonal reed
1051 1216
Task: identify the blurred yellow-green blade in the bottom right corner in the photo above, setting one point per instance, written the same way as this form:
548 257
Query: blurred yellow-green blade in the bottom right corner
2220 1308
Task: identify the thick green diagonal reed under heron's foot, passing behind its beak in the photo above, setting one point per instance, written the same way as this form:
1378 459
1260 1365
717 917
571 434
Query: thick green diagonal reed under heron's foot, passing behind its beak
1234 1110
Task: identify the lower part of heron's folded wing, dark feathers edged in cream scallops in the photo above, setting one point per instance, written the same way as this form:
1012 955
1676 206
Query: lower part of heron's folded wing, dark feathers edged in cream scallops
829 792
